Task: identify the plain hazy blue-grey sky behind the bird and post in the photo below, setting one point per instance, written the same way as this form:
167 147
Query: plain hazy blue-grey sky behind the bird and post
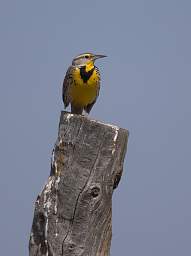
146 88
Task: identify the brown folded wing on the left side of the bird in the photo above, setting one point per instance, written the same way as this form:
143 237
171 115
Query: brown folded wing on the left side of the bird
68 80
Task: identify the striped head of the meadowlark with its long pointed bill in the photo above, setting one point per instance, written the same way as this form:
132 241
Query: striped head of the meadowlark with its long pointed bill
86 59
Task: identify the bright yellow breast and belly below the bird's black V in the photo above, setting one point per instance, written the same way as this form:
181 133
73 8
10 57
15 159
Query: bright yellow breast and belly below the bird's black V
83 93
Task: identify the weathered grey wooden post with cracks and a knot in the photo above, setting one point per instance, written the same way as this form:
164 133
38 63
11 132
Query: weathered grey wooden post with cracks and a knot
72 214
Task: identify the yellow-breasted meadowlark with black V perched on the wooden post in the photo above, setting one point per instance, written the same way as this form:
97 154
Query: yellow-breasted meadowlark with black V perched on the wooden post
81 84
